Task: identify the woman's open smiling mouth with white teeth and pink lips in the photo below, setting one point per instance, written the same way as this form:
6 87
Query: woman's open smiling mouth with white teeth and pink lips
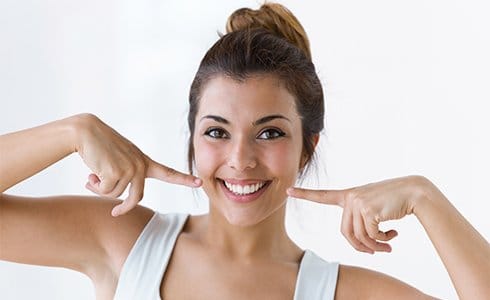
243 191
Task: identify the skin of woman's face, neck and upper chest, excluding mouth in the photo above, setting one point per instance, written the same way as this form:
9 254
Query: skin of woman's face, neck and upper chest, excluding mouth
237 241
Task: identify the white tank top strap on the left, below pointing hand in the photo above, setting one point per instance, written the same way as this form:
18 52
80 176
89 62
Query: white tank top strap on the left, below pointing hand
143 270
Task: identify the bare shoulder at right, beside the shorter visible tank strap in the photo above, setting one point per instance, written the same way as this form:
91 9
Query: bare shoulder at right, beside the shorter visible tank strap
370 284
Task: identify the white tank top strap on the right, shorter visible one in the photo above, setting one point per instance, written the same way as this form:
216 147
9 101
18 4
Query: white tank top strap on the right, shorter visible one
317 278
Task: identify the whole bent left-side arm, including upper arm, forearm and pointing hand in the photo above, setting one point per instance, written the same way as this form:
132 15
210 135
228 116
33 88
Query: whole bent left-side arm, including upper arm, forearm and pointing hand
72 231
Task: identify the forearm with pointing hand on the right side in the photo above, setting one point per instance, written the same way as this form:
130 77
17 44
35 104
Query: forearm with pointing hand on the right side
464 252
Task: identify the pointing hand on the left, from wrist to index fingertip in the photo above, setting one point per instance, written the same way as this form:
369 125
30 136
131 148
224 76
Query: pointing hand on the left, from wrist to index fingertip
117 163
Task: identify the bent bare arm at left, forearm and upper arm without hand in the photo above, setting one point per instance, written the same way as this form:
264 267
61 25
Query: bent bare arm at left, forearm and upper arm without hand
65 231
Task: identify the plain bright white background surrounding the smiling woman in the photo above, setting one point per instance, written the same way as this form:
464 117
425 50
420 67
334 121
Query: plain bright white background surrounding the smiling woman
407 92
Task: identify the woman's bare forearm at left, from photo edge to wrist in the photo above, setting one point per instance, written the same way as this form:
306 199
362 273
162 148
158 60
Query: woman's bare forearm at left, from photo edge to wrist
27 152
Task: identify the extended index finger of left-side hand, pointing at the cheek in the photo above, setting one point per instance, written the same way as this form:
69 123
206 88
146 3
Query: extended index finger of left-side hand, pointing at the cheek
161 172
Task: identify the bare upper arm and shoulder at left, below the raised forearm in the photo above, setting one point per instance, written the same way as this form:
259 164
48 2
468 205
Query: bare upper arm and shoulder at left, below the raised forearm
75 232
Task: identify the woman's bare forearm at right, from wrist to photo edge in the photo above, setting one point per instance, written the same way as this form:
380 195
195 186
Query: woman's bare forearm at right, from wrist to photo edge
464 252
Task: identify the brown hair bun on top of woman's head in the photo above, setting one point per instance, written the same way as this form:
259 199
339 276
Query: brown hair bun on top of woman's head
275 18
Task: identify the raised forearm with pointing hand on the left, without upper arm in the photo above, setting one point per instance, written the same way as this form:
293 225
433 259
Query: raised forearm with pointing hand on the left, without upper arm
114 160
